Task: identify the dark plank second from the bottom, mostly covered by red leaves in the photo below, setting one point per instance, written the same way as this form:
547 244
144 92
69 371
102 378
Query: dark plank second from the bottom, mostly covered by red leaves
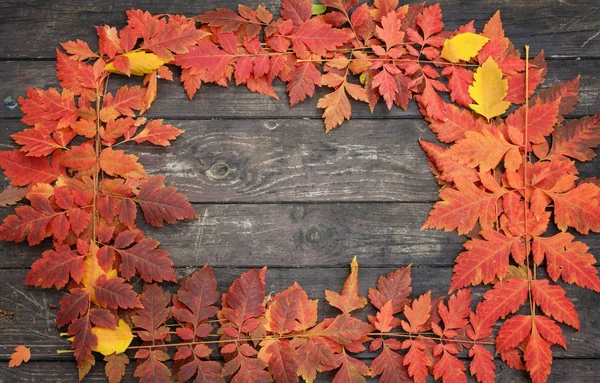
33 324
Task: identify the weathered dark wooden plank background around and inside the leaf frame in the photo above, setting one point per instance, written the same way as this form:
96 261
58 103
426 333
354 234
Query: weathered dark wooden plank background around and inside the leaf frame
271 188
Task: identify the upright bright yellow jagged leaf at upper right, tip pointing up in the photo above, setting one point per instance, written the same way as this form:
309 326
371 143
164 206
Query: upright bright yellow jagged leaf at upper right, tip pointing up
488 90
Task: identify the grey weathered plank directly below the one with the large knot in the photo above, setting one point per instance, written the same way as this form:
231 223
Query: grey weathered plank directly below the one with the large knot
297 235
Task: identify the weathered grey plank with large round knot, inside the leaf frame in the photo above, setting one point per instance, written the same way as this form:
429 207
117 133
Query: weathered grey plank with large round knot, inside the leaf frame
245 161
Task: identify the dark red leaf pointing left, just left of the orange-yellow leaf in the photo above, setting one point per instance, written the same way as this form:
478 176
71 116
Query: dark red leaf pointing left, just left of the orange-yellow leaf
55 268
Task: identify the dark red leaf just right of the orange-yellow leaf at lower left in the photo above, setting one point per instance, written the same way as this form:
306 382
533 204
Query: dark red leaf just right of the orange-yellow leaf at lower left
115 293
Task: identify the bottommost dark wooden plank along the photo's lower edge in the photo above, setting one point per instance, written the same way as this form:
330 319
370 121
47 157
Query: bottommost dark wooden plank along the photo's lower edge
563 371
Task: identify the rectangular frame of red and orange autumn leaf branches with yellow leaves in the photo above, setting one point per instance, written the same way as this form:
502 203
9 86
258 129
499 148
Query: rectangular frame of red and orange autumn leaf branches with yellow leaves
504 181
